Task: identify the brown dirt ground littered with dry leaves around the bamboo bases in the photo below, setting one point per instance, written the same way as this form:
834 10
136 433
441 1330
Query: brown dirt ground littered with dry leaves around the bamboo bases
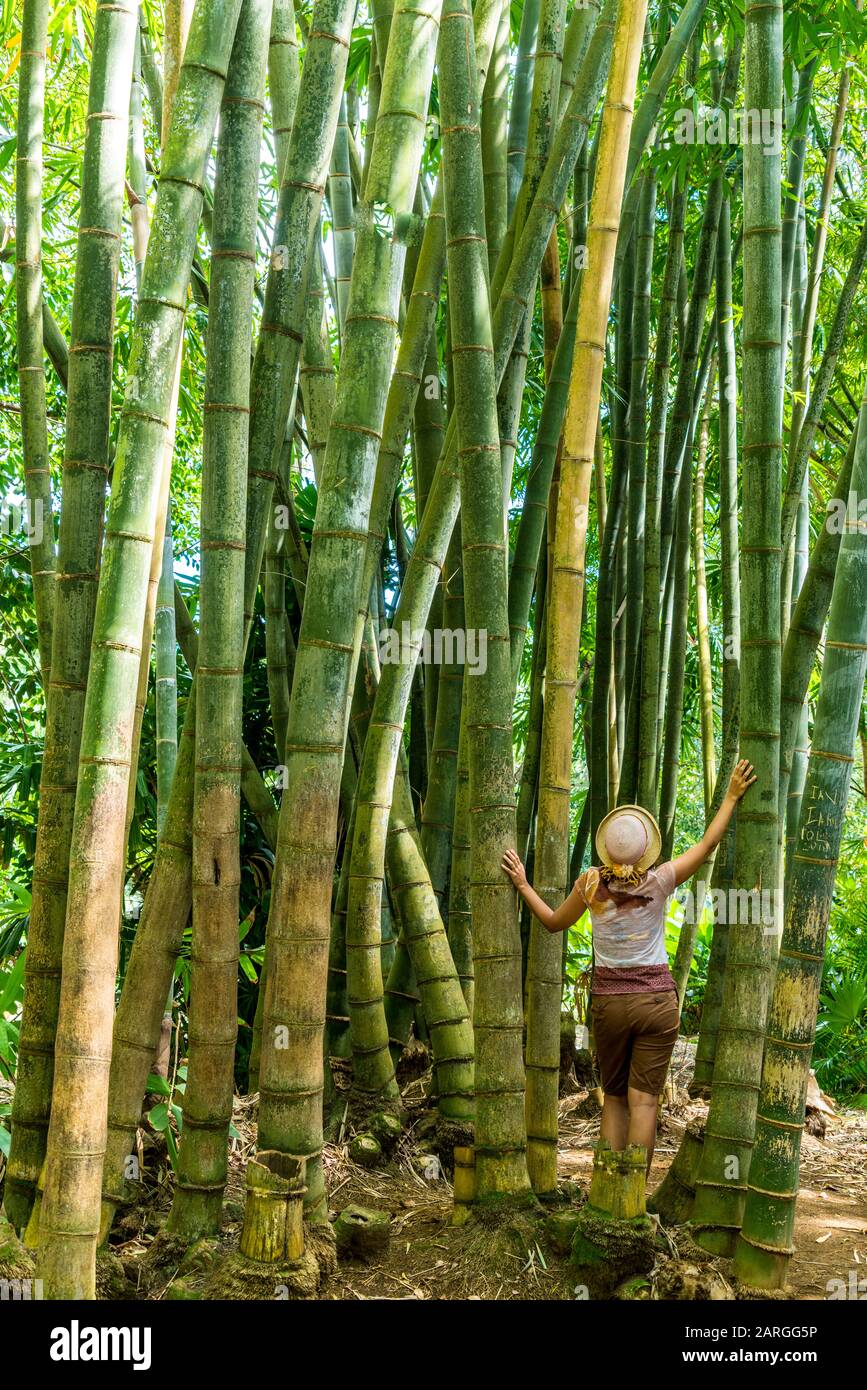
431 1259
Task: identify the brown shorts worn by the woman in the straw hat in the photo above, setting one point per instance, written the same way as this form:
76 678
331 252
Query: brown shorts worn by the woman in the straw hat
636 1036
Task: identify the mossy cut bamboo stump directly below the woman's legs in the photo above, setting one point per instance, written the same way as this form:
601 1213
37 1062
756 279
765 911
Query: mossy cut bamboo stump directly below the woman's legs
613 1239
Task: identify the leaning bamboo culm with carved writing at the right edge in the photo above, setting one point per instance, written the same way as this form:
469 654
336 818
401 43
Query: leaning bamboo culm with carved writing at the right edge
765 1248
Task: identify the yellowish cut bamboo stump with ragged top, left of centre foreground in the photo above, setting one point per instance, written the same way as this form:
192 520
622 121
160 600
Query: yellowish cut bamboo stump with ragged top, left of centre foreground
274 1228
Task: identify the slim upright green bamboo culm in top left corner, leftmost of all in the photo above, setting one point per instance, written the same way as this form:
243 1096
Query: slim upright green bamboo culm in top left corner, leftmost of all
28 319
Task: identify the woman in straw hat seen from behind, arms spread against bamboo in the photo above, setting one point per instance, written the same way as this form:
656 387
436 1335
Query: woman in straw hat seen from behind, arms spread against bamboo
634 999
